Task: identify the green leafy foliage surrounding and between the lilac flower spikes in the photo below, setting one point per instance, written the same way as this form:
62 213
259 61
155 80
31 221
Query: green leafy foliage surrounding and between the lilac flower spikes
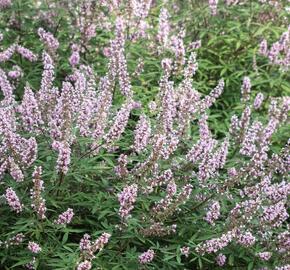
229 49
